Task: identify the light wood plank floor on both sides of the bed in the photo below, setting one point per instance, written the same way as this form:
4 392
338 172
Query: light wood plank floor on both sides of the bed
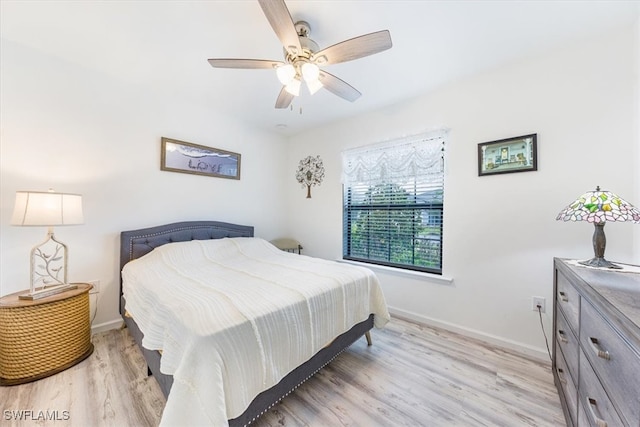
413 375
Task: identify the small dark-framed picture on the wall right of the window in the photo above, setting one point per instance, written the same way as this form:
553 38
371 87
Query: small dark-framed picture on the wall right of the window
518 154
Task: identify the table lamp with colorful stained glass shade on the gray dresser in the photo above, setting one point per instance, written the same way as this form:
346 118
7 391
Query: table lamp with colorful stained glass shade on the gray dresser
599 207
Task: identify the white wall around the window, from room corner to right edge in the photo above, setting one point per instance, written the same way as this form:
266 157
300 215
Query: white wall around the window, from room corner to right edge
500 233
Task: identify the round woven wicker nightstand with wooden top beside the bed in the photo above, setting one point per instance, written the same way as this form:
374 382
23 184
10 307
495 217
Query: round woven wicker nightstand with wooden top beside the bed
43 337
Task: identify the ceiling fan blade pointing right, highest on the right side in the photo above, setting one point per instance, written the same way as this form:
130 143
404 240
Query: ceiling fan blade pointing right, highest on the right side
354 48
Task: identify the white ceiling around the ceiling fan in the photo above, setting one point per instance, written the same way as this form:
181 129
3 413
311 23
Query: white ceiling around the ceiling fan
164 45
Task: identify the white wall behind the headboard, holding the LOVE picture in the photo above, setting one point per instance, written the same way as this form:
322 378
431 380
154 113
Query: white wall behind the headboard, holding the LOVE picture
80 131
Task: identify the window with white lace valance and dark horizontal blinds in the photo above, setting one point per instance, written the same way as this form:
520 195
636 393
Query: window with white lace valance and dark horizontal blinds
393 203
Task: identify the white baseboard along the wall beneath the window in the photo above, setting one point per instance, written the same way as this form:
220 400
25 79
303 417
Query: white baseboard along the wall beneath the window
523 349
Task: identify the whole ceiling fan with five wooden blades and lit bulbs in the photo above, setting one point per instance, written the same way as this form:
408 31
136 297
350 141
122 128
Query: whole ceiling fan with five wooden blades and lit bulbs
303 58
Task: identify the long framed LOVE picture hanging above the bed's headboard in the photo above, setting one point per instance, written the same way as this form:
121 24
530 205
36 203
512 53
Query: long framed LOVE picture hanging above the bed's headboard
180 156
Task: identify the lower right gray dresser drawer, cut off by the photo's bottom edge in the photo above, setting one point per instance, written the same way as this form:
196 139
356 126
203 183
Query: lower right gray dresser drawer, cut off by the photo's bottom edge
598 408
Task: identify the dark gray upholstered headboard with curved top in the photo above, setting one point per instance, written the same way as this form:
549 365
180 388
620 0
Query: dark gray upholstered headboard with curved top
136 243
